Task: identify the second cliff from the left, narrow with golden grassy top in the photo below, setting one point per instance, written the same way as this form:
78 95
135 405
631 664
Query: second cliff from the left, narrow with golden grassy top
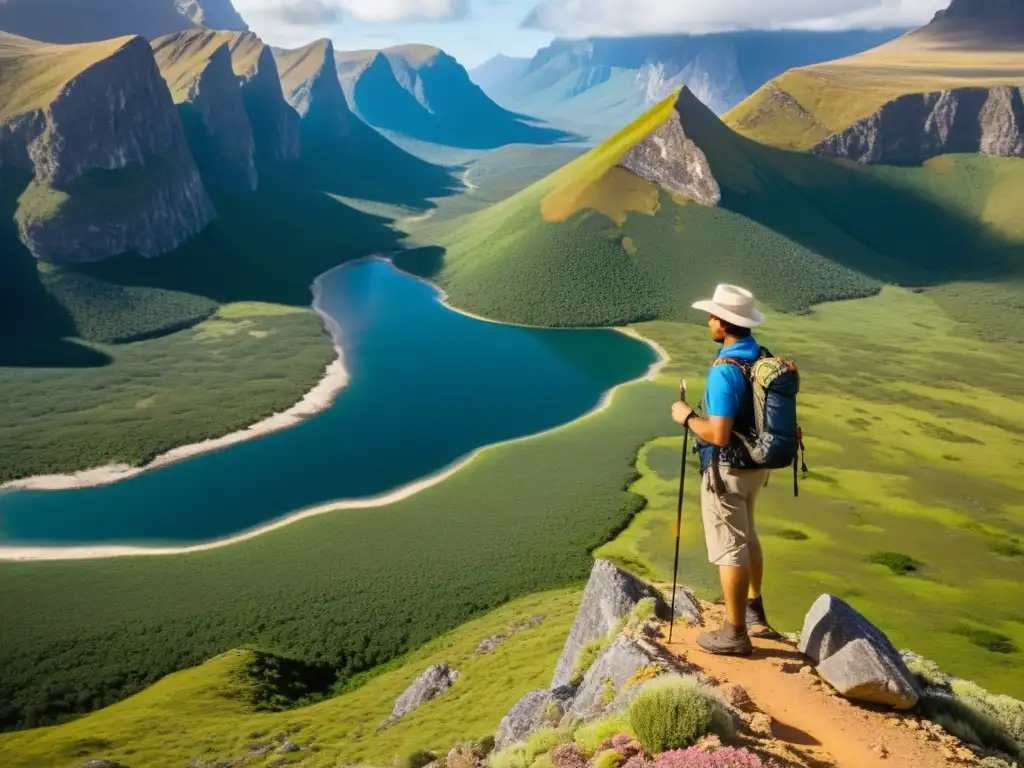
209 98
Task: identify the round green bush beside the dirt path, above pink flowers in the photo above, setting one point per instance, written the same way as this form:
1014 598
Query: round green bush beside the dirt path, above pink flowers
674 713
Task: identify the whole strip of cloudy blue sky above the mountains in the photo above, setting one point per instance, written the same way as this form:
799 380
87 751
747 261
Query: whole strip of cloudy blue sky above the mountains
474 31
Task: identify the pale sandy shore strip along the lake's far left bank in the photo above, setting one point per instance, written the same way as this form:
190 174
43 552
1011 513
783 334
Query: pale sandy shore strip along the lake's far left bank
317 400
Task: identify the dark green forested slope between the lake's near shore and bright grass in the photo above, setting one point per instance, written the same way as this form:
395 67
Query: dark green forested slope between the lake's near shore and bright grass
356 588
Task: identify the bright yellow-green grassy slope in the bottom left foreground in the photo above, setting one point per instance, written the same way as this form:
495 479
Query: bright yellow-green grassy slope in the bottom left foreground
205 712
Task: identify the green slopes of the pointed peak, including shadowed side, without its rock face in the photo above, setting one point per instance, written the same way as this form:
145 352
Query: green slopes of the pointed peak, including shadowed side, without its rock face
803 230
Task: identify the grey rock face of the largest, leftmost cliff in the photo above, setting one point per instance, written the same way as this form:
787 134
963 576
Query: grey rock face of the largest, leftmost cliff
113 172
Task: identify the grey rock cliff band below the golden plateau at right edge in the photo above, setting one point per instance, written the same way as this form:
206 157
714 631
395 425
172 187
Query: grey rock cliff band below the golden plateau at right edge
913 129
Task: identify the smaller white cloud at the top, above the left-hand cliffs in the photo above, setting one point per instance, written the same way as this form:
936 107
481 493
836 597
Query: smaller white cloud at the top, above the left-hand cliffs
322 13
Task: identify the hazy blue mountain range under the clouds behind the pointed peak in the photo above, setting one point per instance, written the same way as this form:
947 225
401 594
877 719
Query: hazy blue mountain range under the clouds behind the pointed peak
598 86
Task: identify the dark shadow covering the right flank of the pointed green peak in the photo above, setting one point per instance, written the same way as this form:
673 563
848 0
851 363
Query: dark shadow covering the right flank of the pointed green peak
856 216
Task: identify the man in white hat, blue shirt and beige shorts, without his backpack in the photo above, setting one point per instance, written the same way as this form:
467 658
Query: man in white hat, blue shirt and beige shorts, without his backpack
731 480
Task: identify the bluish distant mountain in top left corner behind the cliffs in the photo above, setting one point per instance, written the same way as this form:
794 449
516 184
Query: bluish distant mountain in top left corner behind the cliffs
80 22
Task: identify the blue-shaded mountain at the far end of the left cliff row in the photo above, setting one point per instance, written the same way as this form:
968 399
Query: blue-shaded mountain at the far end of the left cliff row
422 93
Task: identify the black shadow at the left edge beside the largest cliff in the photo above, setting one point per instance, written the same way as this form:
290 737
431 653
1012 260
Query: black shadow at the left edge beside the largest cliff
34 326
